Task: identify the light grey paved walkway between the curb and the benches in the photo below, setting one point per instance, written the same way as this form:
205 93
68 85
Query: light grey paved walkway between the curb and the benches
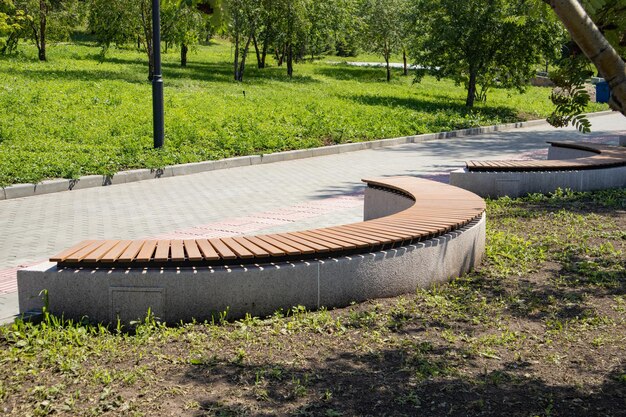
292 195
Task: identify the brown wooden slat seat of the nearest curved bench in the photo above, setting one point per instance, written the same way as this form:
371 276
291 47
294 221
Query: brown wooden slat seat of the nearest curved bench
437 209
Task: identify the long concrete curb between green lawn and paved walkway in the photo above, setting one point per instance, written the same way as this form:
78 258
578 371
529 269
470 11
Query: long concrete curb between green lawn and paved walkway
124 177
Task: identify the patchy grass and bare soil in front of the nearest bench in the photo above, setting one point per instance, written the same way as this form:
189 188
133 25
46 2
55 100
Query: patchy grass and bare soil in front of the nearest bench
538 330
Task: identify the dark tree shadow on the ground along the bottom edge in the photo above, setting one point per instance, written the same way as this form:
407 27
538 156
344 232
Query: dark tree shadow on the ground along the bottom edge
397 382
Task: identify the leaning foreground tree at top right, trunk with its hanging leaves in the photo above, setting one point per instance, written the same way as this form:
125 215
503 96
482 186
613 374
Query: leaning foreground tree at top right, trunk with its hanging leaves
596 47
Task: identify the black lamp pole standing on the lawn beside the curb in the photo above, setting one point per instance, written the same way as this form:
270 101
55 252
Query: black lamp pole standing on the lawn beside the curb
157 78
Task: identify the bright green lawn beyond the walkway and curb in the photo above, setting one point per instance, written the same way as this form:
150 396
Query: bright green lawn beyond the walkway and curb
76 115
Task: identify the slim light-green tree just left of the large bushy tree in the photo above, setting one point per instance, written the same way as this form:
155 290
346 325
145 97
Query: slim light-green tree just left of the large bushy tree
383 27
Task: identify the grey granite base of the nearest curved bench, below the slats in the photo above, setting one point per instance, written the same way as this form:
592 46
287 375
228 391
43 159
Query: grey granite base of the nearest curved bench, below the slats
175 294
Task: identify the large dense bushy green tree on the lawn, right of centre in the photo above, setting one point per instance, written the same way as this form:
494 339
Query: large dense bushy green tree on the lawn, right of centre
482 43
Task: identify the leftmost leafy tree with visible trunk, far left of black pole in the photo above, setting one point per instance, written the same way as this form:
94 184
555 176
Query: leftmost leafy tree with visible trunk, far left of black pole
48 20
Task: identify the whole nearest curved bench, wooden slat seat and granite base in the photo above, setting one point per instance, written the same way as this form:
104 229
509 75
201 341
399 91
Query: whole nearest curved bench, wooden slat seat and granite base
415 233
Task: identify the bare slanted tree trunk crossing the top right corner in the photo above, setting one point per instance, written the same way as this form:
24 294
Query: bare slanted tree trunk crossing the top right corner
590 40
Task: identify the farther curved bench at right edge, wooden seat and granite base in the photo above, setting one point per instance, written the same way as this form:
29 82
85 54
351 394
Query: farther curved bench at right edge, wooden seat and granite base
570 165
